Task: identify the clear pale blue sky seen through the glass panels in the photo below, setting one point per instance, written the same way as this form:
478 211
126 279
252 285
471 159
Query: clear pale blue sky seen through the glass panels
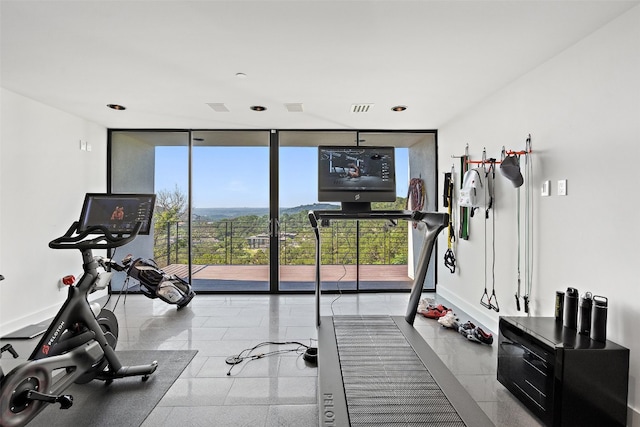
239 176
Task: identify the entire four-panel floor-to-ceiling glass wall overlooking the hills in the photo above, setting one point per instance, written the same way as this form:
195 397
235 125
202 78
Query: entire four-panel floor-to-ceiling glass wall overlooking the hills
233 209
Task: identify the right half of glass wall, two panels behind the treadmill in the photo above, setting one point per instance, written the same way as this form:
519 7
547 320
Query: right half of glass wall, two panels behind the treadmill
355 255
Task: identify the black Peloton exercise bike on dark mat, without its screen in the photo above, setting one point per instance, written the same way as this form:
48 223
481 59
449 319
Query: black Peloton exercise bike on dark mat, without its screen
79 345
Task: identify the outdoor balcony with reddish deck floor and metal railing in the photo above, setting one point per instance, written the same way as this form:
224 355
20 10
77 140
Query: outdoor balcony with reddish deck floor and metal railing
233 255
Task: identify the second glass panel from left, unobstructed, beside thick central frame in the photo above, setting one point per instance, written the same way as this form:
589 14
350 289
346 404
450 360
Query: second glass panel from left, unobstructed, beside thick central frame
230 211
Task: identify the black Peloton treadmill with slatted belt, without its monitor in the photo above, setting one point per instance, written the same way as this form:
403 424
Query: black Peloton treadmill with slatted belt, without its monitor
378 370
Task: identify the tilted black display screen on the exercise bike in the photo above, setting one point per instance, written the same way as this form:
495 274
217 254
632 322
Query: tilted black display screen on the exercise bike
119 213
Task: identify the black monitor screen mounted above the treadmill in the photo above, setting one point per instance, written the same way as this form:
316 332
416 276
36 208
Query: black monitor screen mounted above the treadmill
356 176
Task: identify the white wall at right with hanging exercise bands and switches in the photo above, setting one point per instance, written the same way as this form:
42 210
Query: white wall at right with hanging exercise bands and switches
582 109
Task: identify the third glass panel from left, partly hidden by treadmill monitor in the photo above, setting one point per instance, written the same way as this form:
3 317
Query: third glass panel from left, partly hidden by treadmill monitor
298 184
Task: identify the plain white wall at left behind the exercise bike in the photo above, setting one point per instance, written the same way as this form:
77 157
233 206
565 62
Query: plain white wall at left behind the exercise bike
43 178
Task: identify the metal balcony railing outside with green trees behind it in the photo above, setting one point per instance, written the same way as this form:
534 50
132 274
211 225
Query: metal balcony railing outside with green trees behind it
246 242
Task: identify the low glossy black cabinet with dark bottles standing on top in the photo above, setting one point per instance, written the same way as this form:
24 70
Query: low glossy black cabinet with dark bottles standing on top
565 378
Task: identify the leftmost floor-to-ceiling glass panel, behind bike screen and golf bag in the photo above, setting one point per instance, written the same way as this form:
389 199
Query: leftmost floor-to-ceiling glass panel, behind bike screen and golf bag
154 162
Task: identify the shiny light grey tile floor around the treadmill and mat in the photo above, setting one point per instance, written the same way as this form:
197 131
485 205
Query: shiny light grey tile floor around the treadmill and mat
279 390
